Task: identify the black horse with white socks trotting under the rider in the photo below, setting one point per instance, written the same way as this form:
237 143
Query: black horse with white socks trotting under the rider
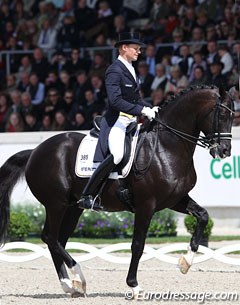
162 176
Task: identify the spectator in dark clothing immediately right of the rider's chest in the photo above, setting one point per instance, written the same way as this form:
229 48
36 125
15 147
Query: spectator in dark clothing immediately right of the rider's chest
145 78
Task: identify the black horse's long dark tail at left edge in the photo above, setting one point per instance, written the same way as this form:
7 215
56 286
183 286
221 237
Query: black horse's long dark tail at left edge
10 172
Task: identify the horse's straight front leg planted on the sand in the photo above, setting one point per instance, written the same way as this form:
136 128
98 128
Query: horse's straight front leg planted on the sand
141 224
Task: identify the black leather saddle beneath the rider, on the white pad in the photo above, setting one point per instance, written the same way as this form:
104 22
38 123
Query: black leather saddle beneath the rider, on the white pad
131 129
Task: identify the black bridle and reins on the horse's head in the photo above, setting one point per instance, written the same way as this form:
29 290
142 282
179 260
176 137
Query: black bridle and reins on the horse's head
211 140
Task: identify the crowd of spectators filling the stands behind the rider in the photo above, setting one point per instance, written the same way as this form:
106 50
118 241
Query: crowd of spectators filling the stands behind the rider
56 83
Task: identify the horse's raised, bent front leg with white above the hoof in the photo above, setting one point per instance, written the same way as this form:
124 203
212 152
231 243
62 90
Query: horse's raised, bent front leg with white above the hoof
188 206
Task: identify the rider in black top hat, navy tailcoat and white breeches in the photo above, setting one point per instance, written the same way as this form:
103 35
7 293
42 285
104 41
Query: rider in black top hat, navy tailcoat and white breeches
125 105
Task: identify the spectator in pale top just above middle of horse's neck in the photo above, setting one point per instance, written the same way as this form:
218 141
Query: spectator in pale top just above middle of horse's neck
177 81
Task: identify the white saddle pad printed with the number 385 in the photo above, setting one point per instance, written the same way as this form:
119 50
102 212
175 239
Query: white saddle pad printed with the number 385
84 166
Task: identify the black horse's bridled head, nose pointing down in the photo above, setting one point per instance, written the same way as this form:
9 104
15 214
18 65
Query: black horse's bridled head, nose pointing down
219 135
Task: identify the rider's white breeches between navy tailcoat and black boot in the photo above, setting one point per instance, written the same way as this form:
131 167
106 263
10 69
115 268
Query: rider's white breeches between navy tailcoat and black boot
116 137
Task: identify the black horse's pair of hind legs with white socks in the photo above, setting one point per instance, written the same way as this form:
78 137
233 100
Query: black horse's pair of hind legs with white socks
55 235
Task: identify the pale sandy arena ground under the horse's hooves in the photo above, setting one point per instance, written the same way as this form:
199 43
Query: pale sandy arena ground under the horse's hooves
35 282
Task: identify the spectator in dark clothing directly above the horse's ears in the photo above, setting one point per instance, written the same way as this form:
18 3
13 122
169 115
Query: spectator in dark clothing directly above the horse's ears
216 77
